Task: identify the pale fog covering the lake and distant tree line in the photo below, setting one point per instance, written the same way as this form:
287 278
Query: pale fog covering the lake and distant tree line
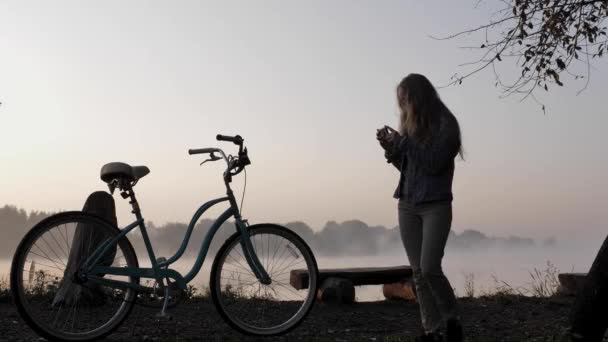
508 259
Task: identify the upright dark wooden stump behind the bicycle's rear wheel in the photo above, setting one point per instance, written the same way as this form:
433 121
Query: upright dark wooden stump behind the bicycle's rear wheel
86 239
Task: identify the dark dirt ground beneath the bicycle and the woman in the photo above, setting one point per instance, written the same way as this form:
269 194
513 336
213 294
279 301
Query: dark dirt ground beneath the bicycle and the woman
498 318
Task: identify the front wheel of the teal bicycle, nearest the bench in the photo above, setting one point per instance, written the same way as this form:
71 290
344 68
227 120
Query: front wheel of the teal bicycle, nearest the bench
254 308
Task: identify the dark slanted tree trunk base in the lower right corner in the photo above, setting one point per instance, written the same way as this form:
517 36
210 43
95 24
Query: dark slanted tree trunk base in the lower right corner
588 316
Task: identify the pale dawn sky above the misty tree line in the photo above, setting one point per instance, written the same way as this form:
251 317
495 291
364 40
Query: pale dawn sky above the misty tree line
306 84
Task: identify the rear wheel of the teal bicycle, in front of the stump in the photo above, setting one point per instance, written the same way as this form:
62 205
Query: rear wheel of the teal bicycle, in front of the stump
48 296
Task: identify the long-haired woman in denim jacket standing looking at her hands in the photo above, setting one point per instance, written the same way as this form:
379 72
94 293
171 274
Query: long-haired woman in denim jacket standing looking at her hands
423 150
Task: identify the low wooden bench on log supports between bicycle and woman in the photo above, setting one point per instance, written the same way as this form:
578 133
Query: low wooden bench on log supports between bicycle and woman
338 285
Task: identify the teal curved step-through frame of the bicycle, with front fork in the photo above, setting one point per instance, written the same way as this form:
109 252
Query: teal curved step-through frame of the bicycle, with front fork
161 270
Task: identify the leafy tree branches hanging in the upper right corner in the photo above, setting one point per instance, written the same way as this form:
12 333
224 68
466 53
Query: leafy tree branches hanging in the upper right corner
545 38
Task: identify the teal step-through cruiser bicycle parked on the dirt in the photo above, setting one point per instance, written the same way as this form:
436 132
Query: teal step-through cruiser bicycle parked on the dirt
89 295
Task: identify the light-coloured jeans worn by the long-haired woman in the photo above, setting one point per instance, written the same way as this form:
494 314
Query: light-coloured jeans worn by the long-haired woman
424 232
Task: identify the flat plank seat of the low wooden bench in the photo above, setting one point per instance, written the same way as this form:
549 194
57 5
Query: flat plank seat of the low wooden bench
358 276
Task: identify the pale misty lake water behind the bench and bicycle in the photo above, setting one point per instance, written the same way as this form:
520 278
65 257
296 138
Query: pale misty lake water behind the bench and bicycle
511 266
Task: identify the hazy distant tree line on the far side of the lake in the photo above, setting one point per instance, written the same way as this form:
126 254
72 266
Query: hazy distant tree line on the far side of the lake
348 238
